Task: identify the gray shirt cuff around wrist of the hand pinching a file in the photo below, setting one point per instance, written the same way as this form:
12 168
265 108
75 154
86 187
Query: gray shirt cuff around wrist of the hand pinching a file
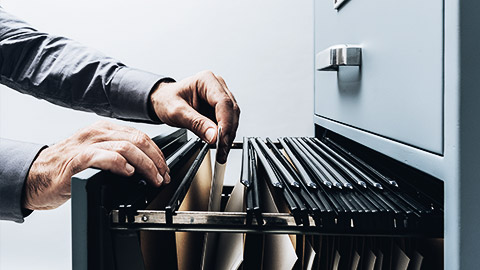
130 91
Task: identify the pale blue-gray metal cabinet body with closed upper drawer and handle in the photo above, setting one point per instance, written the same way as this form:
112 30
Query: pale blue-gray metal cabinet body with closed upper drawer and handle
403 79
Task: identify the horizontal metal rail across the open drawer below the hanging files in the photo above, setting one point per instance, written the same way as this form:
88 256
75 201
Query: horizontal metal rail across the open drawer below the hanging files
235 222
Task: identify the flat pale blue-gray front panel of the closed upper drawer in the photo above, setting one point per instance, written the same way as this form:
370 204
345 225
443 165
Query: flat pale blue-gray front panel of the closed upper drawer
398 91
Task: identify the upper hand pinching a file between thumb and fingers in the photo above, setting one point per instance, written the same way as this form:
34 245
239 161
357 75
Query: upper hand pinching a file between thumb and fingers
198 103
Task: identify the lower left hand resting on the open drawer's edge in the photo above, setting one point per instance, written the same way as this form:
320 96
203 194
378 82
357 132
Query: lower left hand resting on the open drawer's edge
105 146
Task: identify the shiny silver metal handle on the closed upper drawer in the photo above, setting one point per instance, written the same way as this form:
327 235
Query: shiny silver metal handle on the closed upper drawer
338 55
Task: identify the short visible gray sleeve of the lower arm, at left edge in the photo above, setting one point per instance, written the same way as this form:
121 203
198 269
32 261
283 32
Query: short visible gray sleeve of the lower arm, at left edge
15 161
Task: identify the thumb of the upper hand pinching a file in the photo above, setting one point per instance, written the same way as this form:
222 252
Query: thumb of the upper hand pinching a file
202 126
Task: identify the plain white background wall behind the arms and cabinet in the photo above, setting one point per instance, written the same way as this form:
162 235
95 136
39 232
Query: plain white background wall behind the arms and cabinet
263 49
